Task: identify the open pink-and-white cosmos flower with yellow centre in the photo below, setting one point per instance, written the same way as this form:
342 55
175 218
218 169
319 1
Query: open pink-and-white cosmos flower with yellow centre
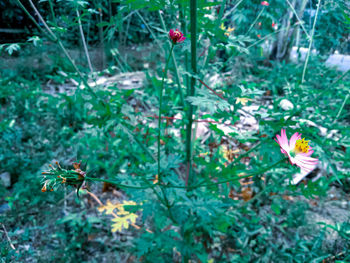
297 150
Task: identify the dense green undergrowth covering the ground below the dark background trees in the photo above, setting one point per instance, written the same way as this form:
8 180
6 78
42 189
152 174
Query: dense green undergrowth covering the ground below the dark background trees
242 100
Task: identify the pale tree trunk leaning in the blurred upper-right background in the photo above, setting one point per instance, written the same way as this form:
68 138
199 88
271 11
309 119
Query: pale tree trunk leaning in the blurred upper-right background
285 38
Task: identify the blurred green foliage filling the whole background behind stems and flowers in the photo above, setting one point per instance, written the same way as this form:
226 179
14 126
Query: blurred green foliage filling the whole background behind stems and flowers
116 138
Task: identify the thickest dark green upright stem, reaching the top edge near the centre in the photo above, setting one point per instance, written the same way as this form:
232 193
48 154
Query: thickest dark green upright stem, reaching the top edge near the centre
193 20
